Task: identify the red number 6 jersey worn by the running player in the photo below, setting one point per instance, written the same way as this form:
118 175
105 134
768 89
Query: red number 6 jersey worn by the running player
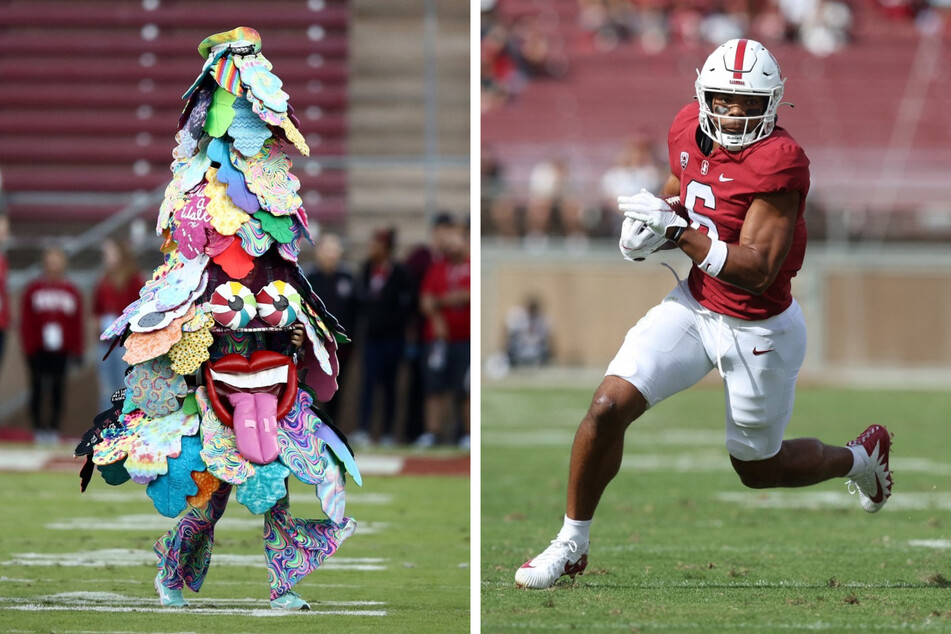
718 190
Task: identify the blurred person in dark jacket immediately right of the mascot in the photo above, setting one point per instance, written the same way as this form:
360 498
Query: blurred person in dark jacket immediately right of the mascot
336 286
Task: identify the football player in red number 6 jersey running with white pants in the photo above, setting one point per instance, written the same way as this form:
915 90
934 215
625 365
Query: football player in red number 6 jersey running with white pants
742 183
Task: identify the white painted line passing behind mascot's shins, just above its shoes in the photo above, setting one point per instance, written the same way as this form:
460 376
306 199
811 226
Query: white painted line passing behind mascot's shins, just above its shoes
130 557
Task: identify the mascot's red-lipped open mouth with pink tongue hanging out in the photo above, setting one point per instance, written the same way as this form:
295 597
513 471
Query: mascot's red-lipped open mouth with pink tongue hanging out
252 395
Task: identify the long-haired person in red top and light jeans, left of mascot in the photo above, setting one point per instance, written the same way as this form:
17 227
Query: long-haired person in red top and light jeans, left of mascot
118 287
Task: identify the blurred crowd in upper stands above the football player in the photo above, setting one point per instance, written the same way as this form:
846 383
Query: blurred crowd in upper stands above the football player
523 42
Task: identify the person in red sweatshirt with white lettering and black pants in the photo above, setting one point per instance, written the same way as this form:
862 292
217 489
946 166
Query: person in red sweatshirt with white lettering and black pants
51 331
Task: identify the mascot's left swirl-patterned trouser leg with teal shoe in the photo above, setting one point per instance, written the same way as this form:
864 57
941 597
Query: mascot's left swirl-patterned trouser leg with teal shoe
184 552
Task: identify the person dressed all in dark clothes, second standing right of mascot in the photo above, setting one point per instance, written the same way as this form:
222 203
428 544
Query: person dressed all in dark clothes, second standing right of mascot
387 300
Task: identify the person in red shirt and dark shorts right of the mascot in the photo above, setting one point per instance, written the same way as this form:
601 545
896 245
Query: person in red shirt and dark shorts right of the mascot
444 302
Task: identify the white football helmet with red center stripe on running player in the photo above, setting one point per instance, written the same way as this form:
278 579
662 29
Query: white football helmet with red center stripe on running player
741 67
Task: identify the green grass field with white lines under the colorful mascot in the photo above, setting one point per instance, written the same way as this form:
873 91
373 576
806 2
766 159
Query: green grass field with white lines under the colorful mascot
72 562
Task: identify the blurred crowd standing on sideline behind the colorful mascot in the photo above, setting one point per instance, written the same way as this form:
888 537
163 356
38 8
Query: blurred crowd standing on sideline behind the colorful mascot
406 368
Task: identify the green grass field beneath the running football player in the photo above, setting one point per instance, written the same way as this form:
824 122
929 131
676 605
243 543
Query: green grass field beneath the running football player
679 545
